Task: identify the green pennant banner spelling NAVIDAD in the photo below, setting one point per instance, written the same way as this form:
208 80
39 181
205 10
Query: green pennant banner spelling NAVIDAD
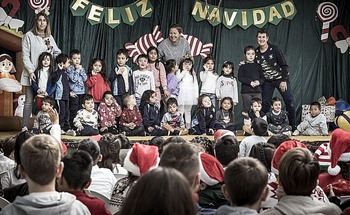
243 17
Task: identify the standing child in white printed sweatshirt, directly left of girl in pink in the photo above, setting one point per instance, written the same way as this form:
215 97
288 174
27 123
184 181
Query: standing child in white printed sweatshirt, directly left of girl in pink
143 78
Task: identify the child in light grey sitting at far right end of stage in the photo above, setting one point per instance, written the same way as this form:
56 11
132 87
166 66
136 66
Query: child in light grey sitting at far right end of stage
314 123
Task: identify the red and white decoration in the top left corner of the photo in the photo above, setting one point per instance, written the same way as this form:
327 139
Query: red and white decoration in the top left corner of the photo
7 20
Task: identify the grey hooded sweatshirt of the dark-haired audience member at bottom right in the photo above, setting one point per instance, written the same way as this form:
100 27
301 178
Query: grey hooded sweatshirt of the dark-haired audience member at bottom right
302 205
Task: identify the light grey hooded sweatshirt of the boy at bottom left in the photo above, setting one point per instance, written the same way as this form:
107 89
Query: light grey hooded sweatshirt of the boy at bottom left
46 203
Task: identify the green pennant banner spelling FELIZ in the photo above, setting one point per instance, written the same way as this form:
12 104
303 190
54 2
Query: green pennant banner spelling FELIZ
112 15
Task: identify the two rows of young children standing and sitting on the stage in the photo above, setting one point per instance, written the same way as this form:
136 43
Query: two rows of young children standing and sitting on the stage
129 101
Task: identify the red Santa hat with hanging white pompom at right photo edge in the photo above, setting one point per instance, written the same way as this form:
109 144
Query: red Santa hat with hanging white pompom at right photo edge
340 149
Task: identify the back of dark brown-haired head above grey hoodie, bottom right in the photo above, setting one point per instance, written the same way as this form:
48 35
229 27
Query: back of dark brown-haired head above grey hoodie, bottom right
298 172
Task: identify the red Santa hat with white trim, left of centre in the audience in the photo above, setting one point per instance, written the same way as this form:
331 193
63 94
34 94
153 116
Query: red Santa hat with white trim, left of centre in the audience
141 158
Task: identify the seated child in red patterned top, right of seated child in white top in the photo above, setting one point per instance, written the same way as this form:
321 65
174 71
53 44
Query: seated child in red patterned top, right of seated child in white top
108 110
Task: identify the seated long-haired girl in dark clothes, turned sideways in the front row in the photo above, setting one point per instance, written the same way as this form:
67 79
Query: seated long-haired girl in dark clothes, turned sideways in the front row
150 114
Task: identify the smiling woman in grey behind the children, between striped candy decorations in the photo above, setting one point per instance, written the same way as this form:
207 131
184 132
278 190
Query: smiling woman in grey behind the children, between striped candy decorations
175 46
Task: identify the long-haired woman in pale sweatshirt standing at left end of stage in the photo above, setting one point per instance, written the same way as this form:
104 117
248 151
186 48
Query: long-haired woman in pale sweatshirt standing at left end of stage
35 41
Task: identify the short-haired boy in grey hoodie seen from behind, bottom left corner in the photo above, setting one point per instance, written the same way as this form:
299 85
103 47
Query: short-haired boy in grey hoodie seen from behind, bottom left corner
40 165
